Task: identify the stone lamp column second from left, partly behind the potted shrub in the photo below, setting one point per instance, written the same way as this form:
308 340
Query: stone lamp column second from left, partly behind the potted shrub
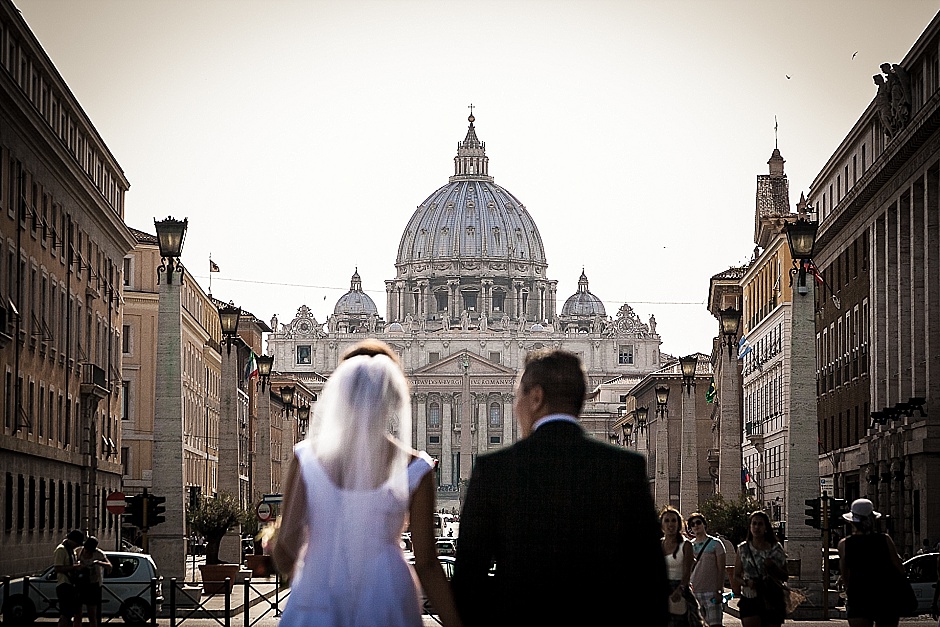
228 480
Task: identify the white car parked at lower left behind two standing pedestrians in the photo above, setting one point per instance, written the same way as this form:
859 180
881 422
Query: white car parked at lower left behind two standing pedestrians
126 592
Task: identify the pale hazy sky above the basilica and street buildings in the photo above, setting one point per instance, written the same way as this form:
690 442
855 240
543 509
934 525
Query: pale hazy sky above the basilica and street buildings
298 137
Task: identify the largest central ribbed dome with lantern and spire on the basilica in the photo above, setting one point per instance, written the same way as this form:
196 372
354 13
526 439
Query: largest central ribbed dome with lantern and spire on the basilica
471 219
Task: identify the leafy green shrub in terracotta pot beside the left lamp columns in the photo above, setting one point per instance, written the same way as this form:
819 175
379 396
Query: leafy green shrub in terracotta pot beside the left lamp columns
213 518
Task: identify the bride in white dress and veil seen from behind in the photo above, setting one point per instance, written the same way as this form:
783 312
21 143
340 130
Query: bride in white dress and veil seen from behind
349 488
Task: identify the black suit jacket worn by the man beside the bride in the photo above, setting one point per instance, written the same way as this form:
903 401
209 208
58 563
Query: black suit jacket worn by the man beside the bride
570 524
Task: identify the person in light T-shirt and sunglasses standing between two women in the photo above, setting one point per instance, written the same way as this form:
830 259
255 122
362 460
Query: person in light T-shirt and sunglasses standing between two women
708 571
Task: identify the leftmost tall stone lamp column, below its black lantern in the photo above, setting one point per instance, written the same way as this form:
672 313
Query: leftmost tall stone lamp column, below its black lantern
166 540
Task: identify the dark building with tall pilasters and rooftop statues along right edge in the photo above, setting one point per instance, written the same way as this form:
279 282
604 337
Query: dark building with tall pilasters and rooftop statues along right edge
877 322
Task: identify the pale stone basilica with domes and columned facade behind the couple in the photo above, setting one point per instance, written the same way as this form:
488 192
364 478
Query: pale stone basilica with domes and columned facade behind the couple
470 297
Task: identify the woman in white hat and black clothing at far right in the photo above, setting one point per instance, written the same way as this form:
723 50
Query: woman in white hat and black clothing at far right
871 571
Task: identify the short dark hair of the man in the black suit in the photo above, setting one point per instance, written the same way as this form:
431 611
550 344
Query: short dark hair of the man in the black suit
561 377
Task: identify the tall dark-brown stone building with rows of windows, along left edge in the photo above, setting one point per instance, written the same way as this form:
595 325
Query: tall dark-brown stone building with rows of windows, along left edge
61 250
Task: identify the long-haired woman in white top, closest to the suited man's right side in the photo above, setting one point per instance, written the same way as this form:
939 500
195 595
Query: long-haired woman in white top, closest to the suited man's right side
677 551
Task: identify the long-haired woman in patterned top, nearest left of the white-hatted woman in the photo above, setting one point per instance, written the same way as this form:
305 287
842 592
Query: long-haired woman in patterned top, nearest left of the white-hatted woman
760 571
